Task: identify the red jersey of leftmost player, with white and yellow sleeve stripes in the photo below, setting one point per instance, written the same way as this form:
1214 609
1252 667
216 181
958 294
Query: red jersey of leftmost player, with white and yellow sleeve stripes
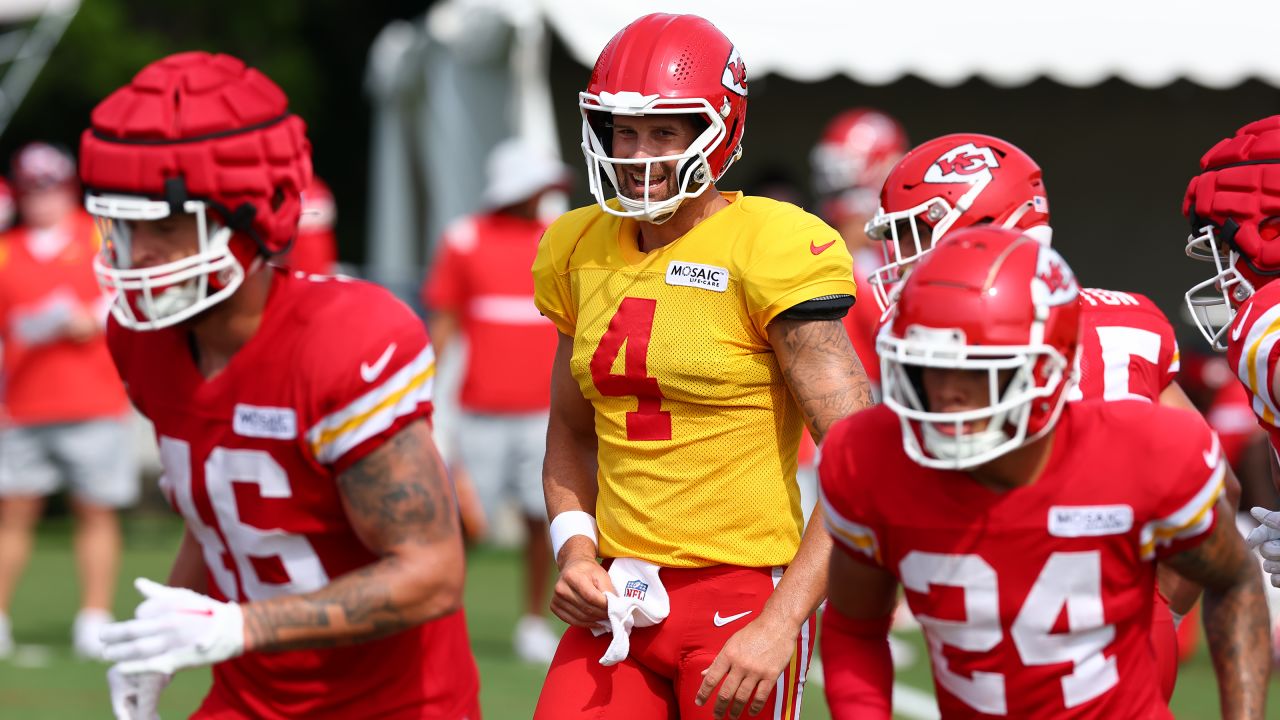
252 459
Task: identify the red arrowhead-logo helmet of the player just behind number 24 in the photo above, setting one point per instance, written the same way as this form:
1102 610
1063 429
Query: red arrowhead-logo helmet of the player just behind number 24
950 183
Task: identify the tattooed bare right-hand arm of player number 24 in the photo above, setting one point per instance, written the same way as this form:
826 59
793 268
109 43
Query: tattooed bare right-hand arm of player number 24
1236 617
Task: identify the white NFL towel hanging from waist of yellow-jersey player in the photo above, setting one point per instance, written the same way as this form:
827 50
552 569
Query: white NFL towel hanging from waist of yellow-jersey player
639 601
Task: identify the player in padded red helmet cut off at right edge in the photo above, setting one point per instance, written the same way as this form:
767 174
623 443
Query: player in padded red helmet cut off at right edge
1236 224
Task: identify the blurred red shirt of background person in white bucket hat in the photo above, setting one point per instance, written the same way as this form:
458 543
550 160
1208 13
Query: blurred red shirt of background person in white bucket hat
483 276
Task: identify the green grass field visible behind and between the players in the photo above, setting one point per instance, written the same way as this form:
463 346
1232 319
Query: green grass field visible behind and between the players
43 681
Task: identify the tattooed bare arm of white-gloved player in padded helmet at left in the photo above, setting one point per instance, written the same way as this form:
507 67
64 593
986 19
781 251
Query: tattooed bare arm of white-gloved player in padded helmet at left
399 502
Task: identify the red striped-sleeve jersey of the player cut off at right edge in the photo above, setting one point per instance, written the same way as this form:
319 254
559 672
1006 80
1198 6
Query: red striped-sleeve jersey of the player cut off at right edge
1254 350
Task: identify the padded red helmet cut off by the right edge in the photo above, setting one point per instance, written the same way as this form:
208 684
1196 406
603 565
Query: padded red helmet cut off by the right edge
1235 209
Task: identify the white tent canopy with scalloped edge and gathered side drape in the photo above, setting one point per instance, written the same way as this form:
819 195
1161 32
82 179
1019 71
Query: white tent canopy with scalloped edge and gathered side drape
474 72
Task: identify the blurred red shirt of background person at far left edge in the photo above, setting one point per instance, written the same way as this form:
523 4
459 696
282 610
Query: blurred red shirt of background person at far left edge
54 381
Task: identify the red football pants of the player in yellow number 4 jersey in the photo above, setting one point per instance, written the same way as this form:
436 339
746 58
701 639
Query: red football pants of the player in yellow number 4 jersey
661 677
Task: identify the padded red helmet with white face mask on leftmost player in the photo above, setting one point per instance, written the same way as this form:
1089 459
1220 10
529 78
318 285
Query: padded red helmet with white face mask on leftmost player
193 134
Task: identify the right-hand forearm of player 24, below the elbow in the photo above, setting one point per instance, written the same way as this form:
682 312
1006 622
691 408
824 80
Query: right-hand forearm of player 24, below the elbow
1236 625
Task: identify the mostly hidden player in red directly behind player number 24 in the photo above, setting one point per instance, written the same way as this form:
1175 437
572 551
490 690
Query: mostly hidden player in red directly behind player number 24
1128 350
